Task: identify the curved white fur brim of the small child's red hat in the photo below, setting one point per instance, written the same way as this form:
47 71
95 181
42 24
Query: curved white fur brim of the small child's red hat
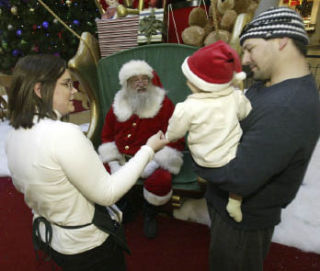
200 83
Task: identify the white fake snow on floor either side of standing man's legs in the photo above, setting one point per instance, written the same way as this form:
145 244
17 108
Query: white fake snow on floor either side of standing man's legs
300 221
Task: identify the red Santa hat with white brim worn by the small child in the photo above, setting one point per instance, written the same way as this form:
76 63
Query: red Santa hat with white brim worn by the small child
213 67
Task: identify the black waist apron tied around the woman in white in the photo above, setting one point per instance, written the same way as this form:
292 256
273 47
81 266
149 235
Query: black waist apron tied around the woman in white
101 219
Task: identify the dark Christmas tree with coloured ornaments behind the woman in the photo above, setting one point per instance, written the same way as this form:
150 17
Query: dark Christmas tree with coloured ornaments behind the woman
27 27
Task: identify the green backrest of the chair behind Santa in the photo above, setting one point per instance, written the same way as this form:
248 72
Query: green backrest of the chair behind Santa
164 58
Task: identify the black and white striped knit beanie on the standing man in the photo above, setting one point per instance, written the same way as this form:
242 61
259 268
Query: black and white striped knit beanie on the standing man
276 23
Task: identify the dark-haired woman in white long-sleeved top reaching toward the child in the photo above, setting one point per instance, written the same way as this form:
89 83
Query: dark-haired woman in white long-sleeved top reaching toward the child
57 169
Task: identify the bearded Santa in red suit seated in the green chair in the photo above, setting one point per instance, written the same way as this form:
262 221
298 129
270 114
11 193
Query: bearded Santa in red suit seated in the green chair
140 109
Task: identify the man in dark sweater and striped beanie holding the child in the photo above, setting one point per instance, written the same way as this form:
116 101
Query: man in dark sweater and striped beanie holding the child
279 136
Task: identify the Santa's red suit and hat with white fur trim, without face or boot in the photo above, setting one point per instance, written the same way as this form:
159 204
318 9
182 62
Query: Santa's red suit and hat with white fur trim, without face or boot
125 131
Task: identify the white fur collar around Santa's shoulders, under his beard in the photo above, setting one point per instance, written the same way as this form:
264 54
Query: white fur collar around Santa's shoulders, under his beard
123 110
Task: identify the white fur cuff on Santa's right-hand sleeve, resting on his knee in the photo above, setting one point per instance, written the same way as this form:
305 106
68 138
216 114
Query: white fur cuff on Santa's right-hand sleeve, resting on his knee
169 159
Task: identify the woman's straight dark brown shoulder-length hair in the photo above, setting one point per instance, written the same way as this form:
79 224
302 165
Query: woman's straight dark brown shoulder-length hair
24 103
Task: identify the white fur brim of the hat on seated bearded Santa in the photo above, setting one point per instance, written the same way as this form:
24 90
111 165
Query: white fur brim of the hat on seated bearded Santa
133 68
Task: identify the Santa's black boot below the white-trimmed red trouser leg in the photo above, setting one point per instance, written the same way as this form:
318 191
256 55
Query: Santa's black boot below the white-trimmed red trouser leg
150 227
